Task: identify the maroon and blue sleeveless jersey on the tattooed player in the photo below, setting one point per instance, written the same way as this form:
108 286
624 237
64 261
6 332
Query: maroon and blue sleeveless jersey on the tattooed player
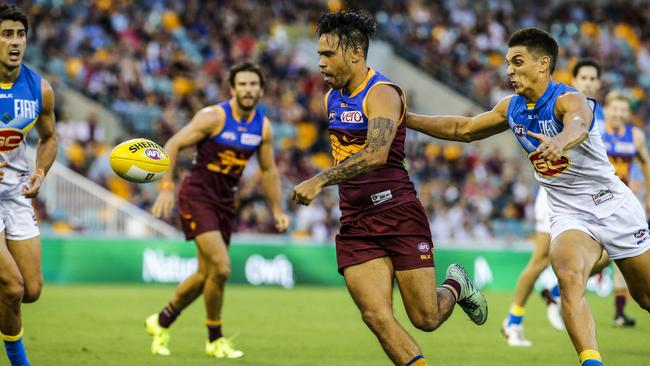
384 187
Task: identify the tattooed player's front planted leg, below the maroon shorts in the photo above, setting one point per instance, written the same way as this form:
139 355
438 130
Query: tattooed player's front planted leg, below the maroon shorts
371 286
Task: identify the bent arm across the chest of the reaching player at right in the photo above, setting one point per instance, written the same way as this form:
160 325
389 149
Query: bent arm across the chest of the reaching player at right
576 116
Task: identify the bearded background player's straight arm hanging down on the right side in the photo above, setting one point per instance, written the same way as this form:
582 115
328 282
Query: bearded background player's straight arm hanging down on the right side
271 177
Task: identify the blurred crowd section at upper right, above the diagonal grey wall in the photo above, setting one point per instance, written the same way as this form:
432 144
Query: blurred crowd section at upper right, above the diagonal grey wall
463 42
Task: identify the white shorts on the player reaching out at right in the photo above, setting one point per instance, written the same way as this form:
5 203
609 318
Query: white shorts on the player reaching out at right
624 234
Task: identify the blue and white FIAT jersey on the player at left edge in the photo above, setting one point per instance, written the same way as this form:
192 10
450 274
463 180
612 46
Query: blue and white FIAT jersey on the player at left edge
20 106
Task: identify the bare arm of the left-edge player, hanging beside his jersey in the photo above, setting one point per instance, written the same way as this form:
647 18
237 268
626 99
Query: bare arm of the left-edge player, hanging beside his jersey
46 149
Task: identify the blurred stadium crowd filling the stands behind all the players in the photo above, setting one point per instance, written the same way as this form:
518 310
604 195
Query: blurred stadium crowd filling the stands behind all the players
156 63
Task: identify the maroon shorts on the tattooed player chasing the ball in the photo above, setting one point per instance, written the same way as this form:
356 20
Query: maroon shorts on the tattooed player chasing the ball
401 233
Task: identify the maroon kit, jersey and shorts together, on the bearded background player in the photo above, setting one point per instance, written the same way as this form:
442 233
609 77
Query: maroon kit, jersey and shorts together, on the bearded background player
207 195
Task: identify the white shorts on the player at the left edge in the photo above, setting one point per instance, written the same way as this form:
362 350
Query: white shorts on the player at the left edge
17 218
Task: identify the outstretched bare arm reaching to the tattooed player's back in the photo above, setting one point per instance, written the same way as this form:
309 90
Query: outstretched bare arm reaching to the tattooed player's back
460 128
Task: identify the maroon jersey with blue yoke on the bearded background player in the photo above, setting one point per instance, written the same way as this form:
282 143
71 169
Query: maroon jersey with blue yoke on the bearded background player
221 158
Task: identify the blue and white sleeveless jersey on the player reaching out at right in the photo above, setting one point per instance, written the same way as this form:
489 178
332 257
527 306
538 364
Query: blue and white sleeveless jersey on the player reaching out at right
580 183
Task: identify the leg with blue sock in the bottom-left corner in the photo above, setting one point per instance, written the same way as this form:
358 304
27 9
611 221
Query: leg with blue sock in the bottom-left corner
12 291
